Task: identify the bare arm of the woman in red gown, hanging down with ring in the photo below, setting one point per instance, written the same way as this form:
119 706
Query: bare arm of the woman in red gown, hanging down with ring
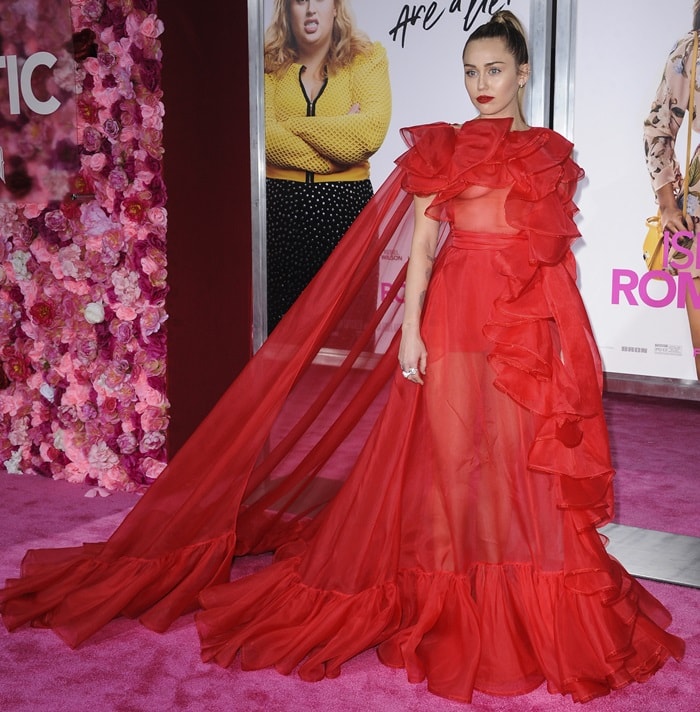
412 351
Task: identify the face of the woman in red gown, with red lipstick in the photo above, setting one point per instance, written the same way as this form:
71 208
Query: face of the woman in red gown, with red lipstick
492 78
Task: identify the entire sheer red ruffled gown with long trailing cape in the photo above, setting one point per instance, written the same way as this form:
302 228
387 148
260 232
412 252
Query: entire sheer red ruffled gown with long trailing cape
453 525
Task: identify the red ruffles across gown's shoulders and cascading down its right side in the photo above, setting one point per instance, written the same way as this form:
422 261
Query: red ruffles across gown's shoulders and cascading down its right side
545 360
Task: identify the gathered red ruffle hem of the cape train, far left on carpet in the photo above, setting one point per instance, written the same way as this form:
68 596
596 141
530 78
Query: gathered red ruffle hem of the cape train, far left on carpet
76 591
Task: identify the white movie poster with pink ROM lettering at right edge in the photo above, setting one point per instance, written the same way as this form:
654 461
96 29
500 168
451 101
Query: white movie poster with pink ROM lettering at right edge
640 318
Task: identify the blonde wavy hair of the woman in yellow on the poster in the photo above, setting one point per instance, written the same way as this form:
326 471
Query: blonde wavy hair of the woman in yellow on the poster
347 42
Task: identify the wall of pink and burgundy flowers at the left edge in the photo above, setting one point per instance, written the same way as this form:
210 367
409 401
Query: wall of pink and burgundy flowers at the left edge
83 279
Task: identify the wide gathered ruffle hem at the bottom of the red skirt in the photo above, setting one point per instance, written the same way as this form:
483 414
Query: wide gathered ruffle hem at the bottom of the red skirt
498 629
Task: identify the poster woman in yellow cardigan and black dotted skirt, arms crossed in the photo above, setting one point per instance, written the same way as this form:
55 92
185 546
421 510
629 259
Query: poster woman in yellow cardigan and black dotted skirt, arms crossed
327 110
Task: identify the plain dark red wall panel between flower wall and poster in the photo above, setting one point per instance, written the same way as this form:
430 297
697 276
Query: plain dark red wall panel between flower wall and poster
207 173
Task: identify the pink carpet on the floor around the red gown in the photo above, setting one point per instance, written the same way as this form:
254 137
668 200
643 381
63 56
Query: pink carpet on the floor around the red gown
129 669
